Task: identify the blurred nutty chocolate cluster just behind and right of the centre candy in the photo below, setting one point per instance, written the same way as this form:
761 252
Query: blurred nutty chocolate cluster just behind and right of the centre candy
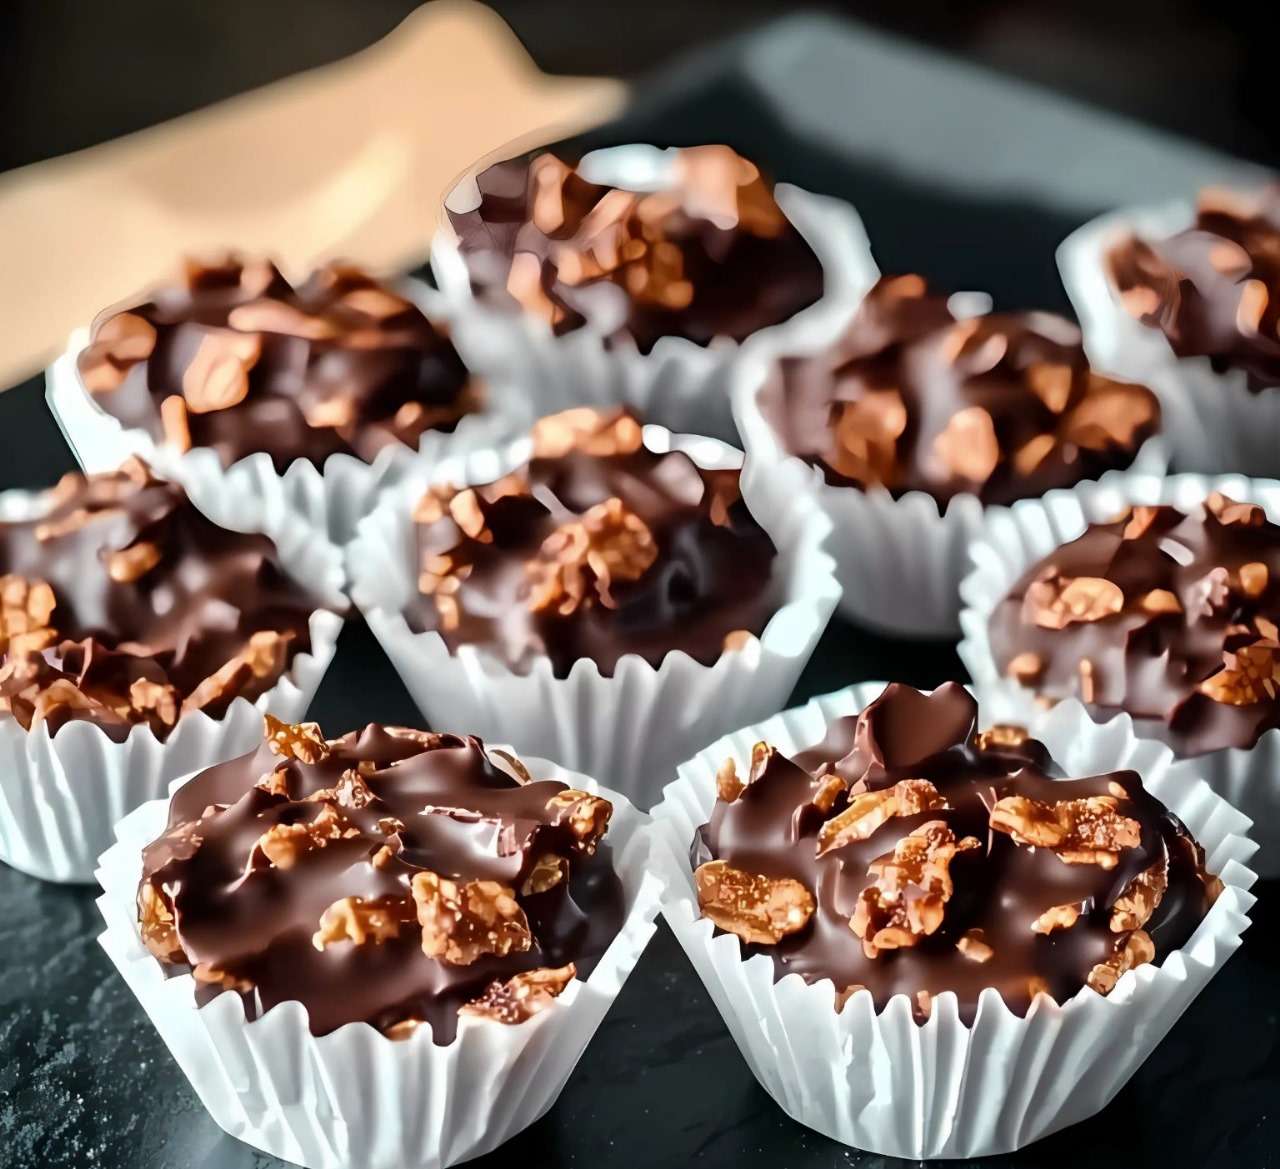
911 399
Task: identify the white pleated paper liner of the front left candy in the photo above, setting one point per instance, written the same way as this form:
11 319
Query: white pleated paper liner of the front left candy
355 1099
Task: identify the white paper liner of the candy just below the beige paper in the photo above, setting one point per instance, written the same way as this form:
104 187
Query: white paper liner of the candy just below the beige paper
331 499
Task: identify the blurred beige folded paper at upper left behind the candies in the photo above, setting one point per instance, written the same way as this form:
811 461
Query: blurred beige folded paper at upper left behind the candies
350 159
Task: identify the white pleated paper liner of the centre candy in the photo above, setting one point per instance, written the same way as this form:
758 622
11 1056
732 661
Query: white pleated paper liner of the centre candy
636 727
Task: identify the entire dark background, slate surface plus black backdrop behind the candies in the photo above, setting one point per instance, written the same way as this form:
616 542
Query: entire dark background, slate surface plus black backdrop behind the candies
959 175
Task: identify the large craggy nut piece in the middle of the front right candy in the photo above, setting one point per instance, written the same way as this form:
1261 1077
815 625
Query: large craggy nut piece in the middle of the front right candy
912 888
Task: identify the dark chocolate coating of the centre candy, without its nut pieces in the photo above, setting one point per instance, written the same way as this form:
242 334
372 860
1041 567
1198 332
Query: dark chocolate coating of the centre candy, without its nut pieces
708 579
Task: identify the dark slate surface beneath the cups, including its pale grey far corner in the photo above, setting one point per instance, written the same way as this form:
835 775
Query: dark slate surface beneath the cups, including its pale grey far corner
962 176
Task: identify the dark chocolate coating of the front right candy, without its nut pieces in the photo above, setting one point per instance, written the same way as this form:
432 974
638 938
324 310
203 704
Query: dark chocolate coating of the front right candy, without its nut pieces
1000 888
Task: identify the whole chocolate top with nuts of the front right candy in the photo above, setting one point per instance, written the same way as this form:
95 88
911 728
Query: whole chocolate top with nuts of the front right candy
909 855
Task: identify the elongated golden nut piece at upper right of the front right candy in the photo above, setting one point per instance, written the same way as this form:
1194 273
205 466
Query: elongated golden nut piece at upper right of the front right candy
1081 832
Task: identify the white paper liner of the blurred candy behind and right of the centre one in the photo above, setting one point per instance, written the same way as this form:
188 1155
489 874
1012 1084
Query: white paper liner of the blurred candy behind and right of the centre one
899 560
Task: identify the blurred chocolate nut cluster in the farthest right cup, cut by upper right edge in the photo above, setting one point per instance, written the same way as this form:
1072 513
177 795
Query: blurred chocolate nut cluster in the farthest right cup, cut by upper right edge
1213 290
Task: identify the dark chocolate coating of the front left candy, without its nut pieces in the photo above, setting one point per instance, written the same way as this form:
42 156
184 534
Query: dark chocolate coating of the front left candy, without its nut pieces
464 819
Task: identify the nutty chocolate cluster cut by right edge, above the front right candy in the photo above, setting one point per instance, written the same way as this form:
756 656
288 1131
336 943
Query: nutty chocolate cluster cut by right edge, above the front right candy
1171 617
